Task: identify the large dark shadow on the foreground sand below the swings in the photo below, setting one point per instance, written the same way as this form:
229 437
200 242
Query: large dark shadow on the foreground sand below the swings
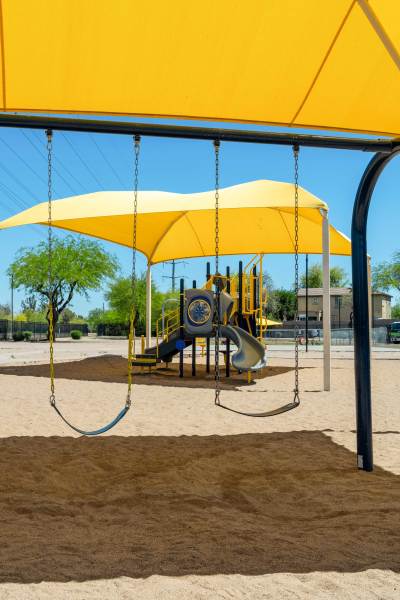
82 509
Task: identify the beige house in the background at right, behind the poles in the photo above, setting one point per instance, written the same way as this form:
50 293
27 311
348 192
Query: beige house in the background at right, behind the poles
341 305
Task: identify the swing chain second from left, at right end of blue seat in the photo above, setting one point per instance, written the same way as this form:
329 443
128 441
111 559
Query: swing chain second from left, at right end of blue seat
133 272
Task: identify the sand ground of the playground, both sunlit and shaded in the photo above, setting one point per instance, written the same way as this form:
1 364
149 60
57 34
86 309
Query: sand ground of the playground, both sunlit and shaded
186 500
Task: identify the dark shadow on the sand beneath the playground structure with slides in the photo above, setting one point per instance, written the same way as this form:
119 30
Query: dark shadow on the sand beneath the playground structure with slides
113 369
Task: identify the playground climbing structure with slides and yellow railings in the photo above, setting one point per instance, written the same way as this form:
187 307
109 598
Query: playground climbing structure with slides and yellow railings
243 323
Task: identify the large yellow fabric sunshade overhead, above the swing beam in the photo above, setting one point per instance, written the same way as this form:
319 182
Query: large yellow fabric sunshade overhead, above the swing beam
311 63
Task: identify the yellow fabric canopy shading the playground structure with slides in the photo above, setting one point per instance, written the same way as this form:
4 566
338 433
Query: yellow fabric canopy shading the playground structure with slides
255 218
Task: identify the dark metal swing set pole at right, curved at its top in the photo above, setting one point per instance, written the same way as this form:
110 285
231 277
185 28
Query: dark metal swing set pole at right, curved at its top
362 352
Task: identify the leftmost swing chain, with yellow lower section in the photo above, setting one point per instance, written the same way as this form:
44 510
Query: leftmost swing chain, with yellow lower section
49 135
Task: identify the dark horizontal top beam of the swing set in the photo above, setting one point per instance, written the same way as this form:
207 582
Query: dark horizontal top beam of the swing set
199 133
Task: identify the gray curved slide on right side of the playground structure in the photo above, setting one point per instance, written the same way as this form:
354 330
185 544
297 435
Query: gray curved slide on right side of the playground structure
250 354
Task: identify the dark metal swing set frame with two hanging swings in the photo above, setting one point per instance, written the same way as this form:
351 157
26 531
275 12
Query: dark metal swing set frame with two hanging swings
385 150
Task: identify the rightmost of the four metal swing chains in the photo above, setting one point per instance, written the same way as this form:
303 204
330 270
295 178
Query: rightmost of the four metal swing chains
296 150
